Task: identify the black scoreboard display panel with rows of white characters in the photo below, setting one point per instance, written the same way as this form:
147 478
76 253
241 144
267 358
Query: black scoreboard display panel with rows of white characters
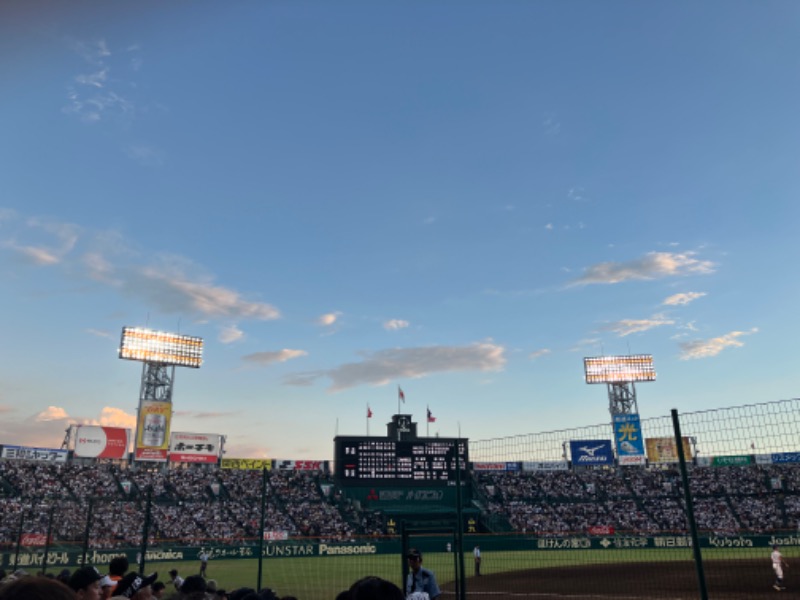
373 461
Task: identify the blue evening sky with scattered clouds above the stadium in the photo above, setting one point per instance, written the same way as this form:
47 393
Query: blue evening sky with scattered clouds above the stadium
460 198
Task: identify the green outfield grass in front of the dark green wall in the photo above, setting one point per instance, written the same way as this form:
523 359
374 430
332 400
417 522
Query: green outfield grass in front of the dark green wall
321 578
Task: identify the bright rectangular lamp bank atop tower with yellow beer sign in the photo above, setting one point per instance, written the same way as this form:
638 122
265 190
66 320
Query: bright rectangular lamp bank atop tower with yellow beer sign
146 345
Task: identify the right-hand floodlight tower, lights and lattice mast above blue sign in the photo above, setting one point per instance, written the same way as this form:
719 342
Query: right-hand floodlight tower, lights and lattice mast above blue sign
620 373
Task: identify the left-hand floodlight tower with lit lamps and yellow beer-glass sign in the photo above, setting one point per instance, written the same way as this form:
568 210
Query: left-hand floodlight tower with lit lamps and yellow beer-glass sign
160 352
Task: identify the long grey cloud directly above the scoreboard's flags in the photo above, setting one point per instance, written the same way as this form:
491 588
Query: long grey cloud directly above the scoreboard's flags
385 366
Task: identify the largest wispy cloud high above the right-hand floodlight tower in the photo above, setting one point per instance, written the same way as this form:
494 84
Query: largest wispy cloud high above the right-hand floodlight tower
654 265
